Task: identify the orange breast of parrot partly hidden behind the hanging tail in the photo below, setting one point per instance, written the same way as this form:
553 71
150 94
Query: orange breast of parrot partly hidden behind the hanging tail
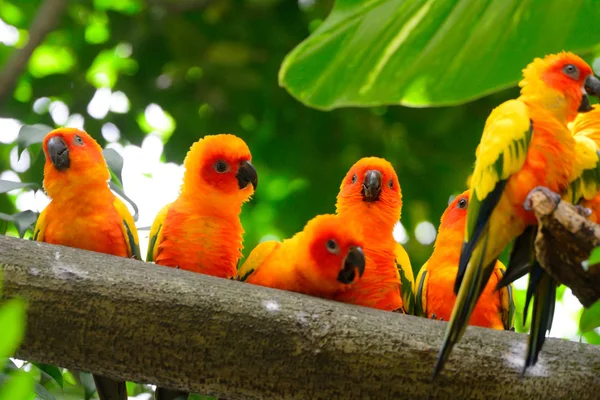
441 298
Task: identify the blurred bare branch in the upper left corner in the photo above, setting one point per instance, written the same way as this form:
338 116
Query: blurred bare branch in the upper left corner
46 18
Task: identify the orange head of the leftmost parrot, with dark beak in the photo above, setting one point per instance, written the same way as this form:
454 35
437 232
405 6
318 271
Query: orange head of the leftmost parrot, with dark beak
72 158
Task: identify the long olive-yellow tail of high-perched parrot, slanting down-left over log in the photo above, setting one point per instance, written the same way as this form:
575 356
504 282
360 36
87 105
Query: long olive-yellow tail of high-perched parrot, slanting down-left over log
474 283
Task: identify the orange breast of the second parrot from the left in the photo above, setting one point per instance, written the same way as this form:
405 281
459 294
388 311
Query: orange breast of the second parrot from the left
200 243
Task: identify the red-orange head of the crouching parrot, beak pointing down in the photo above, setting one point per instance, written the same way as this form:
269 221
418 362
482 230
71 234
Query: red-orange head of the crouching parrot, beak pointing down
335 249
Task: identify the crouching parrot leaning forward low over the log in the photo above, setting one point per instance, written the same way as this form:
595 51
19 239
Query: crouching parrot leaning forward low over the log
325 258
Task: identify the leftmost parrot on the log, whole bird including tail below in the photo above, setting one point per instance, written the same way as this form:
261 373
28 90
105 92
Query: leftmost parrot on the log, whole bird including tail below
83 212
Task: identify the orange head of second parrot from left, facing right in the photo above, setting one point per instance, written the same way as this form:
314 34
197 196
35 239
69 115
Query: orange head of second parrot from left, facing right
220 165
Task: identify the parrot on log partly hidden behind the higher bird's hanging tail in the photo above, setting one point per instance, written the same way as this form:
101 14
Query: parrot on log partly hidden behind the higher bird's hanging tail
434 291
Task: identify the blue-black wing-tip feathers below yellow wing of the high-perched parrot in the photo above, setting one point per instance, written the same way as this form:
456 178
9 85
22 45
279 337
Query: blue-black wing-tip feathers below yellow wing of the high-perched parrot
484 213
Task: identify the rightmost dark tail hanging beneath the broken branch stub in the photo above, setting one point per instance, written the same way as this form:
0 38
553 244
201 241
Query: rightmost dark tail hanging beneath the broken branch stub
541 321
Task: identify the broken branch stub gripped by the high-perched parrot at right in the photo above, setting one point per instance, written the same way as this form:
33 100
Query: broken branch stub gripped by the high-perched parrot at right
565 239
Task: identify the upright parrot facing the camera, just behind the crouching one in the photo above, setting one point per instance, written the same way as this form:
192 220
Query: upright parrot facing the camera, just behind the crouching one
370 201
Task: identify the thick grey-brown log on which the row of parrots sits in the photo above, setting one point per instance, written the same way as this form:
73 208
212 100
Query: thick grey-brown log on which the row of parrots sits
129 320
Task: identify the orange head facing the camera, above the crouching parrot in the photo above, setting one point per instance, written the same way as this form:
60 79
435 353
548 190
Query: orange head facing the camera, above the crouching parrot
371 184
